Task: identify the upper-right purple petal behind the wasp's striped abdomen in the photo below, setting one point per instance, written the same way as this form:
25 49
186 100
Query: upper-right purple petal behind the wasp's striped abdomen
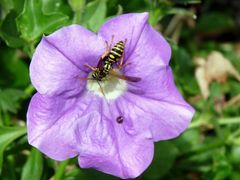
145 46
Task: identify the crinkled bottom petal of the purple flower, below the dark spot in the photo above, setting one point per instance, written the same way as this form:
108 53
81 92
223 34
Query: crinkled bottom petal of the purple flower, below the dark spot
105 145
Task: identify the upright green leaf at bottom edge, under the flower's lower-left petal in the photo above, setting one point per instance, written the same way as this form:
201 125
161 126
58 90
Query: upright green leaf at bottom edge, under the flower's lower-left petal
33 168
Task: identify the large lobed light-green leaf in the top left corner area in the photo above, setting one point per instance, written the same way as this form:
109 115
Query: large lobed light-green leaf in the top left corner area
33 22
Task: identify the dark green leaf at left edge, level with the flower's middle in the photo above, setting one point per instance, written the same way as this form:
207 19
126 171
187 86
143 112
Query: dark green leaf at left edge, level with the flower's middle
9 99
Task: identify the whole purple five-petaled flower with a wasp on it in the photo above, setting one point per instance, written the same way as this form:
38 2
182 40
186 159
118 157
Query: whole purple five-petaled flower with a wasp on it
114 132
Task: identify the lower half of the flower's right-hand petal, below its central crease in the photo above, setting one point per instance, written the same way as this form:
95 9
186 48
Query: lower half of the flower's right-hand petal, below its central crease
163 119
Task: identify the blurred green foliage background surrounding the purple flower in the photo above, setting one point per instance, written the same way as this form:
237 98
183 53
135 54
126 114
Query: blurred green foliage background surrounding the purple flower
209 149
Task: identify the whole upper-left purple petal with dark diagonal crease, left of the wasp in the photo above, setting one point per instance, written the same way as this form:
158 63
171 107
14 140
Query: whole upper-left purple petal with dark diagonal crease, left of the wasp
58 62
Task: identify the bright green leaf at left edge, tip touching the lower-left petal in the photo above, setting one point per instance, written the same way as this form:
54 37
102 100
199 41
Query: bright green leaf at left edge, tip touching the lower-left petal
8 135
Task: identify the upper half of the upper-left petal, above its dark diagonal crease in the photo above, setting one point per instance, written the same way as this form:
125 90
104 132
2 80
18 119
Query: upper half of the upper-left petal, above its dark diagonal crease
79 45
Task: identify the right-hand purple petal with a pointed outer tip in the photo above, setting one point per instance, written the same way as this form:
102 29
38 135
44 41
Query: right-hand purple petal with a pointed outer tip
154 104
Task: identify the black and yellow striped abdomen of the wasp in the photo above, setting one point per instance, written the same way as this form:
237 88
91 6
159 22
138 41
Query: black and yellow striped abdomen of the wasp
116 52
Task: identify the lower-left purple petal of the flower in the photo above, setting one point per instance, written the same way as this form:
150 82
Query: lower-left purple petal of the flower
49 123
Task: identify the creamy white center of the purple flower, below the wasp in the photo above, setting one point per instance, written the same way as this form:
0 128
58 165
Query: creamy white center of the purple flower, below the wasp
110 89
